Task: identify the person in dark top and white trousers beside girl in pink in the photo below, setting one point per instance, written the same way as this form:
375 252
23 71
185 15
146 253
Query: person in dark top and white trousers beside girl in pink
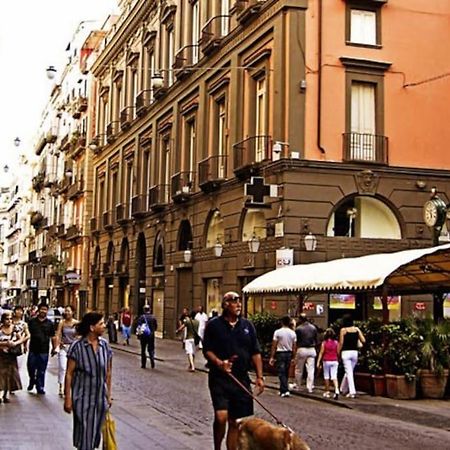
306 352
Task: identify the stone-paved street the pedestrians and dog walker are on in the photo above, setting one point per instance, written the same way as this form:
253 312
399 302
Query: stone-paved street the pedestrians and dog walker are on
169 408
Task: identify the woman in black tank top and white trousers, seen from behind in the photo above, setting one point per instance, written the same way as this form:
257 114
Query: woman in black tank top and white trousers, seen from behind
349 336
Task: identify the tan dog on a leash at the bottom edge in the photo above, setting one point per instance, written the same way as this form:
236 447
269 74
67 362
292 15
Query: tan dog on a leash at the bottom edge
258 434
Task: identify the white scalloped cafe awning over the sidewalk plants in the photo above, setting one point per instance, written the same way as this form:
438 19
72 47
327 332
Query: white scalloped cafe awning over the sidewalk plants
406 272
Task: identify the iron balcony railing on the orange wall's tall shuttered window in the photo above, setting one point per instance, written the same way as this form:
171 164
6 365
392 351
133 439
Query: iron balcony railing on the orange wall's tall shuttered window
364 147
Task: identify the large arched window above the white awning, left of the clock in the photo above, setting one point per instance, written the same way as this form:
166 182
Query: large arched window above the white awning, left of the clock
364 217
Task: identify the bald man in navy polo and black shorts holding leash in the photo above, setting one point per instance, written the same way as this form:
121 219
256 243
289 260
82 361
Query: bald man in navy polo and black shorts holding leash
231 348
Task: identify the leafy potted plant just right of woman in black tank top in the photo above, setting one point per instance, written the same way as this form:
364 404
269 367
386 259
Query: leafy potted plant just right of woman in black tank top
401 359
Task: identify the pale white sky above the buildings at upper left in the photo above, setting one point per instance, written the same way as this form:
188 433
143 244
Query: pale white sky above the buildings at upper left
34 35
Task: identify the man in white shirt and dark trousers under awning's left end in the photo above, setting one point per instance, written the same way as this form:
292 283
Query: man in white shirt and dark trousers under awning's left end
283 350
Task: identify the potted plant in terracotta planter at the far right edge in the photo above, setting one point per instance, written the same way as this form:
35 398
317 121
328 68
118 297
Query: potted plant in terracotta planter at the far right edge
434 351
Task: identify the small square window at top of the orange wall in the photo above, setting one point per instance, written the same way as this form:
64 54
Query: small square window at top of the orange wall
363 22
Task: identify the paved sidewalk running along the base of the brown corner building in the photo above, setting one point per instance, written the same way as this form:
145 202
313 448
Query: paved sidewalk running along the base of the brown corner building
171 351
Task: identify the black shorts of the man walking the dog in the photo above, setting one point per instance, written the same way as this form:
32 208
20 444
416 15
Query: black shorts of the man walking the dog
227 395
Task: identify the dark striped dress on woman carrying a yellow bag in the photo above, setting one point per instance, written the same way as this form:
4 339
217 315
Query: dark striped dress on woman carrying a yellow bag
89 391
